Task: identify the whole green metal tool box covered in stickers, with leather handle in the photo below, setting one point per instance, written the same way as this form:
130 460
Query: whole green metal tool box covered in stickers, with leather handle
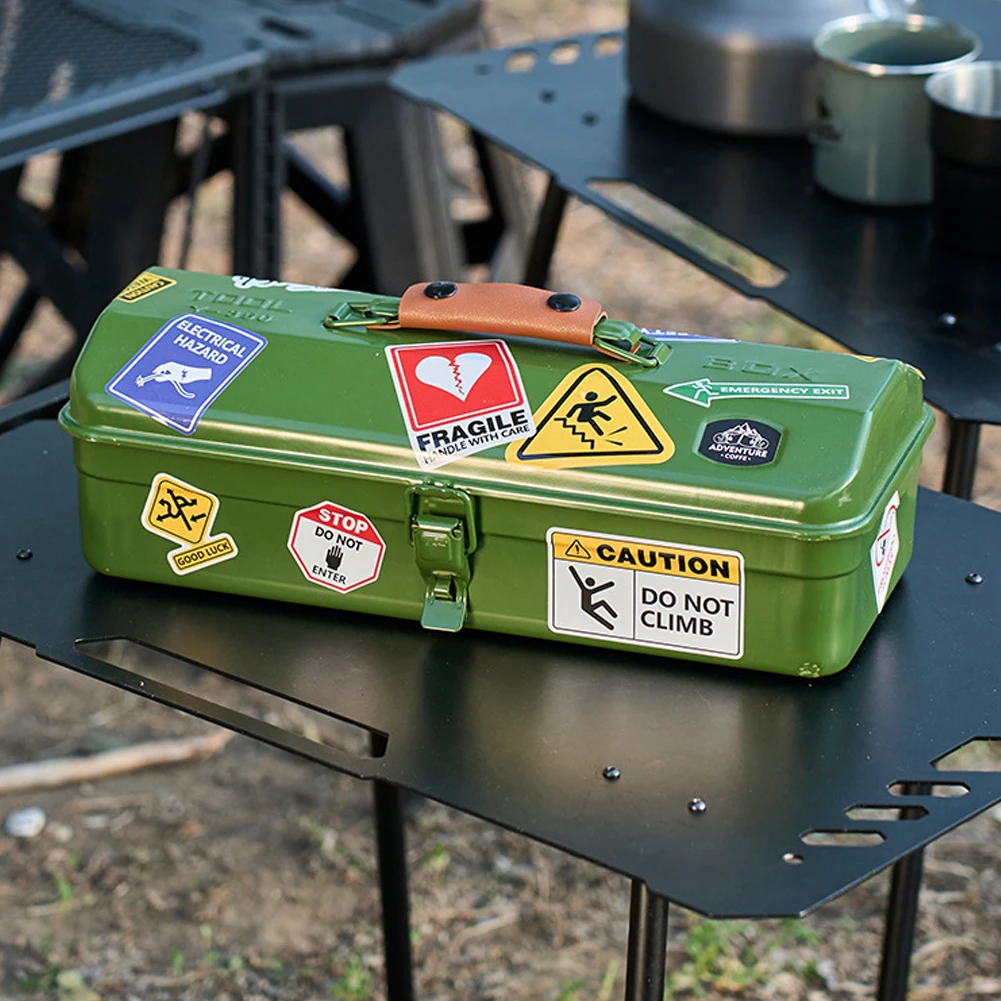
499 458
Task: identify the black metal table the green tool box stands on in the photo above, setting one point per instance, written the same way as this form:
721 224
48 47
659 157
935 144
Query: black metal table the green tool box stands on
706 786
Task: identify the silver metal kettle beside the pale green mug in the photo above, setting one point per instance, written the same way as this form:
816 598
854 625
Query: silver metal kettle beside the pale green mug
742 67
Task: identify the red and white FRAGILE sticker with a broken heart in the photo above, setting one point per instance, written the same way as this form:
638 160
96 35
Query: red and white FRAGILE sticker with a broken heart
459 399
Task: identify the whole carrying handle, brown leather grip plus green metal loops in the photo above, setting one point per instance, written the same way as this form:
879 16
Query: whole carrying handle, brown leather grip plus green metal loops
505 310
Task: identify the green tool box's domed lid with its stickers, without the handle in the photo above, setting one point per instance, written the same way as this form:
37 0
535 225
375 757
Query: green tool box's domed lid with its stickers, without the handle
754 436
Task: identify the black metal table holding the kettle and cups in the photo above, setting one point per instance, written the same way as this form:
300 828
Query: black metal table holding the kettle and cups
871 280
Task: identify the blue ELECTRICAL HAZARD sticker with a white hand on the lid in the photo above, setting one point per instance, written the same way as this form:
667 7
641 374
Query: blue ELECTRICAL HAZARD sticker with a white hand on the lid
184 368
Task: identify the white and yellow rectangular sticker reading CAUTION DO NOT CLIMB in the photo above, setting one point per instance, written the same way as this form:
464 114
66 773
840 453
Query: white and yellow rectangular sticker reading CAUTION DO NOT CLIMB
647 594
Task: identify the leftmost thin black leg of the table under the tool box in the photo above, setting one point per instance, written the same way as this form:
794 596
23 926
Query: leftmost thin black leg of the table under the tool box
392 848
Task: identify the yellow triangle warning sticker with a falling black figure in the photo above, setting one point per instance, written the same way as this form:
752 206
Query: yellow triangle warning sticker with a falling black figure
595 417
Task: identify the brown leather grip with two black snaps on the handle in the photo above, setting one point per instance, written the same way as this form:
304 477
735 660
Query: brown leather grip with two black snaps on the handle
499 308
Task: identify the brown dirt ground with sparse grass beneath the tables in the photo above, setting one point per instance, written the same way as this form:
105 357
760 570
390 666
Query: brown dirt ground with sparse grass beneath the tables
252 875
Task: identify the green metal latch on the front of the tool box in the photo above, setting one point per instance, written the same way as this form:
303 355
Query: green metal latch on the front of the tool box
443 534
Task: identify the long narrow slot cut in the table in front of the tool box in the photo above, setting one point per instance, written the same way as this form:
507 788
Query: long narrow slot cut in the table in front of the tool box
191 678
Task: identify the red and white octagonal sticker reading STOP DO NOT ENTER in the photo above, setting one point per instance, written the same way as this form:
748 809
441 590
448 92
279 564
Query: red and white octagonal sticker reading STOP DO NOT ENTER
336 548
